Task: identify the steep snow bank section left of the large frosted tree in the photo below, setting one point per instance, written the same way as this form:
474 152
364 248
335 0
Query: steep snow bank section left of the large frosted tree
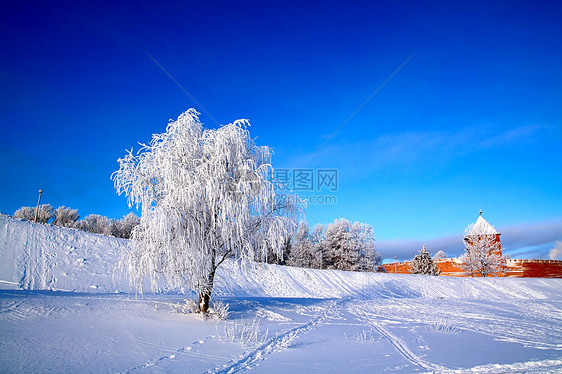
35 257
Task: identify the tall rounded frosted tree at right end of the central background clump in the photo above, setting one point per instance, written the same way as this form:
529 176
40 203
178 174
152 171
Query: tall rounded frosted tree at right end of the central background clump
349 246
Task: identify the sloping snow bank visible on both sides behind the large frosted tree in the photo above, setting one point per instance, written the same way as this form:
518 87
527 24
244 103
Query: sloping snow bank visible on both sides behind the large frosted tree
35 256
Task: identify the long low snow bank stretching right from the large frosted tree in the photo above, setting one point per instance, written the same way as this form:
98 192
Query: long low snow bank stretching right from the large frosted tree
262 280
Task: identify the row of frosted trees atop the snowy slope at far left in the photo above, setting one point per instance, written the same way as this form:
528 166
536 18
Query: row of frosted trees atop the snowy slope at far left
68 217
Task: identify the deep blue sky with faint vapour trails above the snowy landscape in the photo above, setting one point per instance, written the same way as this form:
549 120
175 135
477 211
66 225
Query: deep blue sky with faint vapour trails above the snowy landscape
429 112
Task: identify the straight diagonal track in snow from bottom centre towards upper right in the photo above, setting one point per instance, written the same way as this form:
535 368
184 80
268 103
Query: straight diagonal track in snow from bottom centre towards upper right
277 343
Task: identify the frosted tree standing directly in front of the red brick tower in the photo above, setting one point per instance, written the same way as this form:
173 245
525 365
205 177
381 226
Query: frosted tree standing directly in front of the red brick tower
483 256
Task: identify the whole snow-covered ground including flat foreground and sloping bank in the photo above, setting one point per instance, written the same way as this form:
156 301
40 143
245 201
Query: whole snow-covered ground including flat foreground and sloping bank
282 319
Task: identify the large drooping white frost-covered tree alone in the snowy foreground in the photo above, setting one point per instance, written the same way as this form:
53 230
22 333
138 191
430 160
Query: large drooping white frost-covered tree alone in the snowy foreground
205 196
